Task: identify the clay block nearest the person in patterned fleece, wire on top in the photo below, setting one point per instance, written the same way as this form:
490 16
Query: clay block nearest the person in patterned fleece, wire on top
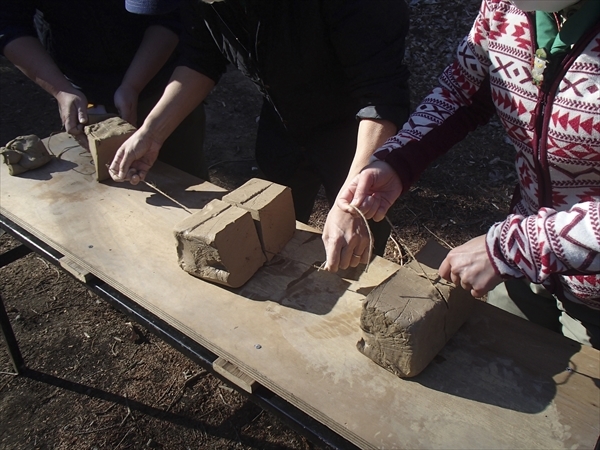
408 319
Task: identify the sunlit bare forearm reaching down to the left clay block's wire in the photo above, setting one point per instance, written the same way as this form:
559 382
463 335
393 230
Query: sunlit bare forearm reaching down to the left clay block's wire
185 91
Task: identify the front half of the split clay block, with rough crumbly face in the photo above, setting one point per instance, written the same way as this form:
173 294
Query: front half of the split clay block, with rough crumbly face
219 243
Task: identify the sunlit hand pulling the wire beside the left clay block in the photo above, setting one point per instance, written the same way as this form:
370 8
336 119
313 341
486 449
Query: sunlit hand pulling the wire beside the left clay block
134 158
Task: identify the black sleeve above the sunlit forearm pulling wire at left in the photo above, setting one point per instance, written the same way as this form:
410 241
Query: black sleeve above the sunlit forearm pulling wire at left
199 50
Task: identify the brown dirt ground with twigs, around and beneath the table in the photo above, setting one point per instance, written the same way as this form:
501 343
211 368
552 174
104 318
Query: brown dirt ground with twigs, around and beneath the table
97 381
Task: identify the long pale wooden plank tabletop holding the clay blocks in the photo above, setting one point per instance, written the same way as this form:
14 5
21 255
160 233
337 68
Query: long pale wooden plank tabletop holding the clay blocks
500 382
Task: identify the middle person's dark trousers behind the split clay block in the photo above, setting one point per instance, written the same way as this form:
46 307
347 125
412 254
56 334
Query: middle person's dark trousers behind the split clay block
321 159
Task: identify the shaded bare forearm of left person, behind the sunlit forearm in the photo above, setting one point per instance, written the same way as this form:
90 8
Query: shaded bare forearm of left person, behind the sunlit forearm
154 51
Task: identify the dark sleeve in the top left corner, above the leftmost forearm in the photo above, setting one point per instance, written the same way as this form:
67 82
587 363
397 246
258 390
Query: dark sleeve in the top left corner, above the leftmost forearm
16 20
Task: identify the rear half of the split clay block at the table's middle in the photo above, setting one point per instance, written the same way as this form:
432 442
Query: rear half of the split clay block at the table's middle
272 209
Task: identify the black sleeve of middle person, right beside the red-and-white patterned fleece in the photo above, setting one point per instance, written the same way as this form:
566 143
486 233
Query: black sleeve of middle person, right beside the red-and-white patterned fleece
369 39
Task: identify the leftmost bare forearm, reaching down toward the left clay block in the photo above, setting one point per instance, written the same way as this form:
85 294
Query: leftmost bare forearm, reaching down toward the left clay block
30 57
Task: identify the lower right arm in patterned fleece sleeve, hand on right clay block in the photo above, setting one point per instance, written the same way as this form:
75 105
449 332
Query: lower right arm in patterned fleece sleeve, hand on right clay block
534 247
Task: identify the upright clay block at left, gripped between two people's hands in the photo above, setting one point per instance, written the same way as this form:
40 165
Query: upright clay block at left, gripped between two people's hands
104 139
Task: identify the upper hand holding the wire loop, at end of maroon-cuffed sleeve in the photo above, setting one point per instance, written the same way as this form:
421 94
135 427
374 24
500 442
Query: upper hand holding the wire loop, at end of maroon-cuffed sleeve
373 191
